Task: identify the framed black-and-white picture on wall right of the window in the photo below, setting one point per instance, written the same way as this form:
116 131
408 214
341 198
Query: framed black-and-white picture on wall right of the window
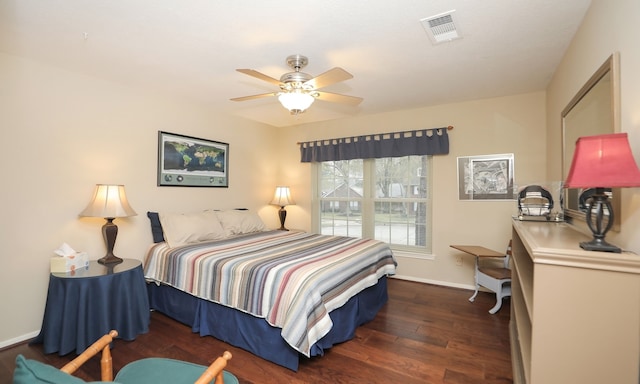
486 177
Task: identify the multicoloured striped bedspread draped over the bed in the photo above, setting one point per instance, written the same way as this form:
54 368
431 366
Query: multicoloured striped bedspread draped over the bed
291 279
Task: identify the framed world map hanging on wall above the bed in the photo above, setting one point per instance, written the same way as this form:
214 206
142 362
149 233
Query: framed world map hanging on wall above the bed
186 161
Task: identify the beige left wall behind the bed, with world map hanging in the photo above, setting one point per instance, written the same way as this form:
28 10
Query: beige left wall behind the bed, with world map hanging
61 133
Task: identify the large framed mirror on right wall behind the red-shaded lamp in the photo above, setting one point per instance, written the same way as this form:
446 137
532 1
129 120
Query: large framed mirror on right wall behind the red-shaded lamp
594 110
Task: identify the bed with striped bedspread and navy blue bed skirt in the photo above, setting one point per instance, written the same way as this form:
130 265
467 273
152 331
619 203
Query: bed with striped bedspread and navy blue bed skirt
282 295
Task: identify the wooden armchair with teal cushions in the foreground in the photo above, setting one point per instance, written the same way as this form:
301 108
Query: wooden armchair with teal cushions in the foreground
149 370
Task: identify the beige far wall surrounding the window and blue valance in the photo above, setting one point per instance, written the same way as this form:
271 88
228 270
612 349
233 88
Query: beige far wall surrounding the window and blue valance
512 124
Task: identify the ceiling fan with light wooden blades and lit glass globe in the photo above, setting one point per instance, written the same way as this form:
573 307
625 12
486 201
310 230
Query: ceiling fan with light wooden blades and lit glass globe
298 90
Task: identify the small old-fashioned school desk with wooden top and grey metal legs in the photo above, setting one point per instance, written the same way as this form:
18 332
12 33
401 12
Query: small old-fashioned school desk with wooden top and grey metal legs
491 271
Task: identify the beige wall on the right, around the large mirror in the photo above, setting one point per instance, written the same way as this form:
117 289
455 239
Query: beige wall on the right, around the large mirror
609 26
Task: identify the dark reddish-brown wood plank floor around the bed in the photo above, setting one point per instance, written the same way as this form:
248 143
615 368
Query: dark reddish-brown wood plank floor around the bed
425 334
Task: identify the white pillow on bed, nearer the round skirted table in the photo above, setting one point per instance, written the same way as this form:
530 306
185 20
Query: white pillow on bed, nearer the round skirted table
186 228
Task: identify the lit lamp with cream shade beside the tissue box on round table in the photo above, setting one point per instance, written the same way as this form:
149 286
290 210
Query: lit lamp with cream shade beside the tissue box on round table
109 202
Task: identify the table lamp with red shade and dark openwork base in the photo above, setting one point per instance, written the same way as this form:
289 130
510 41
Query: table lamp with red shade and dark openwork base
602 161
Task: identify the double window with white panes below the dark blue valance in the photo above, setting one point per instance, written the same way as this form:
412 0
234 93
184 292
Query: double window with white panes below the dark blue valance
386 199
